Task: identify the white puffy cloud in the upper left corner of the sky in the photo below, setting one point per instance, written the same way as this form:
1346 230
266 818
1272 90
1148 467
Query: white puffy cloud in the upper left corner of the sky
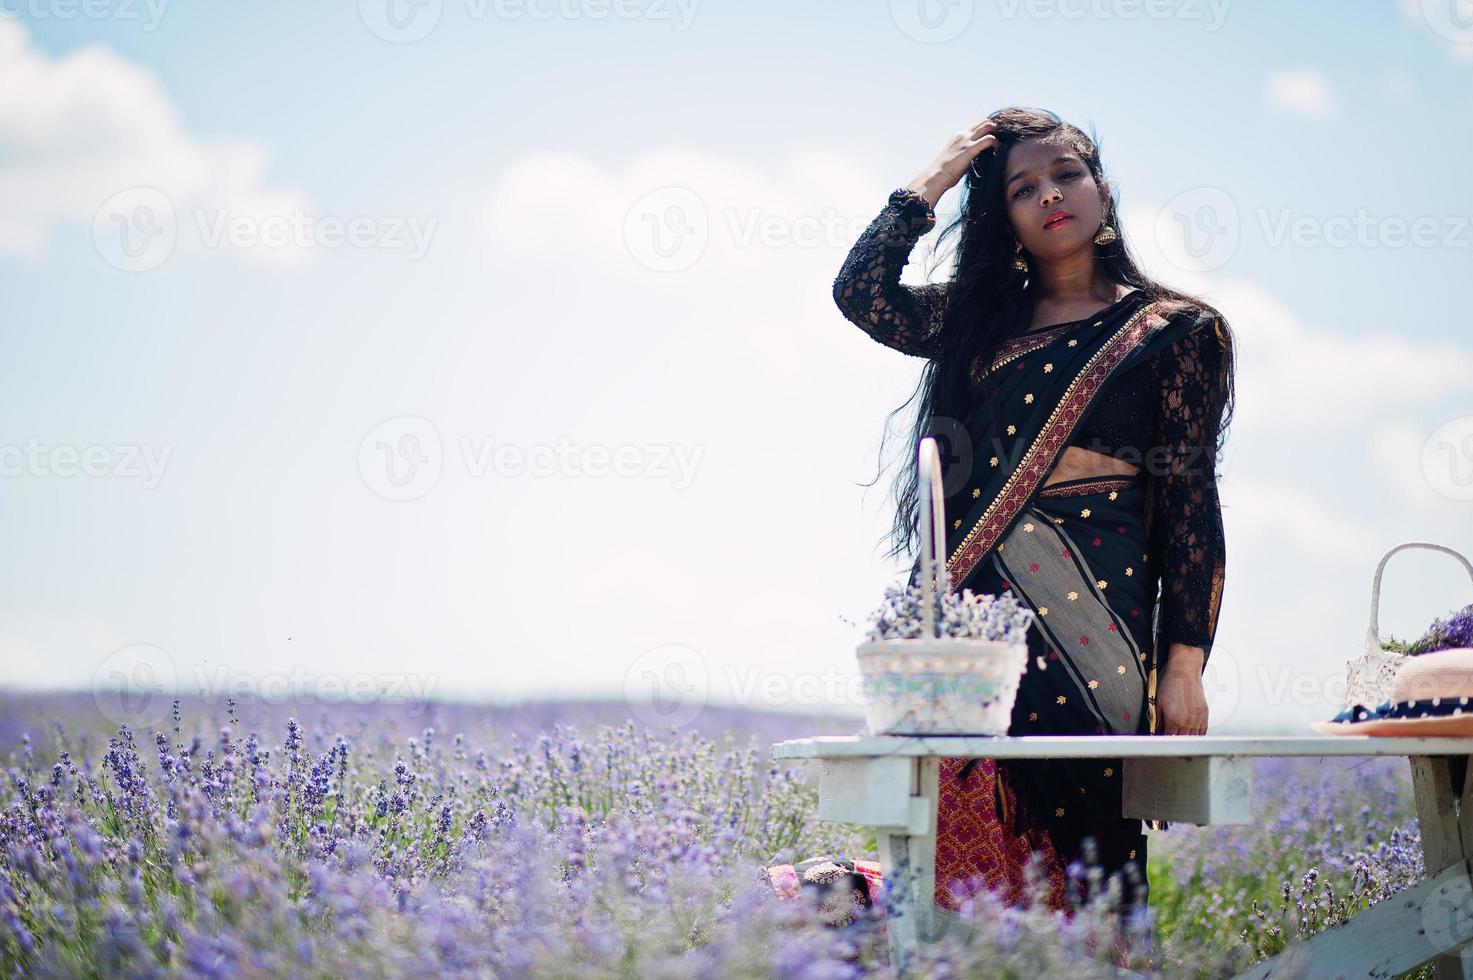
77 130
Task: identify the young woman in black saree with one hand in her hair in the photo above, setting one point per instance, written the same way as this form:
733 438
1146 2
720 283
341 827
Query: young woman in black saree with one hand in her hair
1080 410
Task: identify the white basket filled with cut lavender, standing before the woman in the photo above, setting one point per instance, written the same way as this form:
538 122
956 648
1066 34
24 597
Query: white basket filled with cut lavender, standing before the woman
938 662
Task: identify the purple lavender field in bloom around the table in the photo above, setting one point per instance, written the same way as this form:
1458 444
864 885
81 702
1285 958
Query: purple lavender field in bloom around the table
553 841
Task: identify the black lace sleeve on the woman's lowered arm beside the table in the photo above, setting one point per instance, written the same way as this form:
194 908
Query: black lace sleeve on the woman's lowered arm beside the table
1195 555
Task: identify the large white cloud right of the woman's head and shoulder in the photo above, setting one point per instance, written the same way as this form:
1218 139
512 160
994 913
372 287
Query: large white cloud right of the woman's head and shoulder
1328 431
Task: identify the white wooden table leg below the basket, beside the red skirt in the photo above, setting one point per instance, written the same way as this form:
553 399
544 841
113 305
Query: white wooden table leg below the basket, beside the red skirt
910 867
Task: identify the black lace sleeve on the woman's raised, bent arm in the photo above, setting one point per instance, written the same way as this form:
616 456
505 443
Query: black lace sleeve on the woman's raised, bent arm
868 288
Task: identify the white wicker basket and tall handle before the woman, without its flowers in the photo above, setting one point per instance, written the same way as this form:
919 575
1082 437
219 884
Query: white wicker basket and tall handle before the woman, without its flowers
939 686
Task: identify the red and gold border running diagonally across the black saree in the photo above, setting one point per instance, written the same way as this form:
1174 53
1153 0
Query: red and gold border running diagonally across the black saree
1051 440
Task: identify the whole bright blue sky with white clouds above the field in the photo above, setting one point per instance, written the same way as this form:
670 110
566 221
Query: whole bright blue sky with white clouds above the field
534 157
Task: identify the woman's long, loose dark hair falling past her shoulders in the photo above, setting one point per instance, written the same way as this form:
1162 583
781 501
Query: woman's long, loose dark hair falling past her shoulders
988 303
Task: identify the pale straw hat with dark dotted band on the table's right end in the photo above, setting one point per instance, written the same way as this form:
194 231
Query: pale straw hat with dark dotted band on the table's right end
1432 696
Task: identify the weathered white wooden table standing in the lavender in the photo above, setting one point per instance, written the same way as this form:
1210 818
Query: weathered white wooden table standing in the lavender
890 783
